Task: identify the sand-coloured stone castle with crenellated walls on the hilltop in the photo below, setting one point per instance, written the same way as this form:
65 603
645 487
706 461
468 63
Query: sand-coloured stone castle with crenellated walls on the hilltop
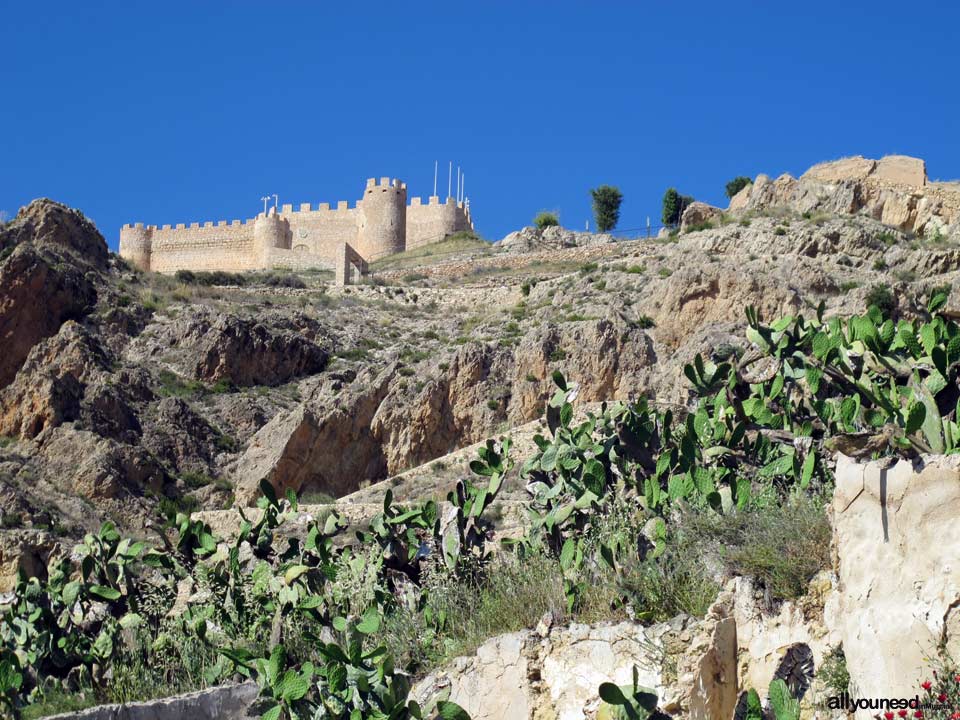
341 238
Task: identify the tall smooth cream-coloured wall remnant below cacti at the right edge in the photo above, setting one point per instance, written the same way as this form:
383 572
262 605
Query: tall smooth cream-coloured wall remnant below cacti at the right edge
897 542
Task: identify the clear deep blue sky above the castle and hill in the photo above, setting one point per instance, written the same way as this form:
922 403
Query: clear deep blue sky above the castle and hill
167 112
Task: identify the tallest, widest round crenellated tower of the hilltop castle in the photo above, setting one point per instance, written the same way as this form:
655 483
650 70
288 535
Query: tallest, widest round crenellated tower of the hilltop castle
383 219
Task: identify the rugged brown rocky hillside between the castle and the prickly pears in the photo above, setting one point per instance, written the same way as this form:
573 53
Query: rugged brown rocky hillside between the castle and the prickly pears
126 396
